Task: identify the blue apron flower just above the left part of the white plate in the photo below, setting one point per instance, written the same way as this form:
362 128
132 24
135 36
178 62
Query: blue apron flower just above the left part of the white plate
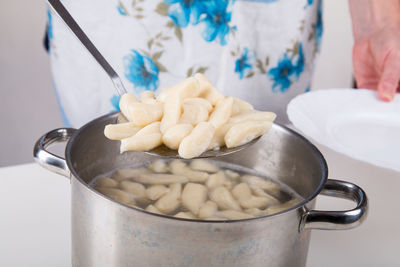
281 74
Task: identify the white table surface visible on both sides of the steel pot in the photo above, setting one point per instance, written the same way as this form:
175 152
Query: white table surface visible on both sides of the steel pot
35 218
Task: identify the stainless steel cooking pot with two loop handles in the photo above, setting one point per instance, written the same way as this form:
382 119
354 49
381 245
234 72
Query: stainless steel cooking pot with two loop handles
106 233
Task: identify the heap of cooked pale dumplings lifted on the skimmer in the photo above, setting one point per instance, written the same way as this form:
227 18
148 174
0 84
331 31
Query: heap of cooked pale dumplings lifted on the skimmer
191 117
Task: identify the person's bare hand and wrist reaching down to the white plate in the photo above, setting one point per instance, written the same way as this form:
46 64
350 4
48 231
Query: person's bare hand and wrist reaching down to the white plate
376 51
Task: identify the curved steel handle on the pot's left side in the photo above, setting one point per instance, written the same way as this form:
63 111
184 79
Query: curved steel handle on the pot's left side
49 160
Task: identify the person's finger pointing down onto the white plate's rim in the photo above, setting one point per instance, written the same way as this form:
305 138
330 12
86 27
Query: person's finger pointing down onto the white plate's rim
390 77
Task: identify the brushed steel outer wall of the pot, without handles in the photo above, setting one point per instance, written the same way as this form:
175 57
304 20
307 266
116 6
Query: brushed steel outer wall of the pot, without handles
106 234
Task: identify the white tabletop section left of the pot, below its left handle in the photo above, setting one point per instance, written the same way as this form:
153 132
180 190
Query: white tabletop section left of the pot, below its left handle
35 217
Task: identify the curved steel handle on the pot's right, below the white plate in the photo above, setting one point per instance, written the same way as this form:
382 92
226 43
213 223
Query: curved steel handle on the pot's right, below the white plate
338 220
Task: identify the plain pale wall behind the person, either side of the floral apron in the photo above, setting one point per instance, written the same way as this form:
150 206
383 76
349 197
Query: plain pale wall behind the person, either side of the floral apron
28 104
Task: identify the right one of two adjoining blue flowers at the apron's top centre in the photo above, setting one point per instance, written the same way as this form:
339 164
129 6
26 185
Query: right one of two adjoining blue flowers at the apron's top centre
216 21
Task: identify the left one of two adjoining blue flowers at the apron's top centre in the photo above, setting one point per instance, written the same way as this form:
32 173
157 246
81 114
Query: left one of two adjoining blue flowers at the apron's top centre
184 11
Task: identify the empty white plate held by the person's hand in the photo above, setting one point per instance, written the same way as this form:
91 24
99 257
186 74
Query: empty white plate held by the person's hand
353 122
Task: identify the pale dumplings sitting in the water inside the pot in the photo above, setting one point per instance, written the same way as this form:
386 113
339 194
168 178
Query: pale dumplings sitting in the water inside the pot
196 190
